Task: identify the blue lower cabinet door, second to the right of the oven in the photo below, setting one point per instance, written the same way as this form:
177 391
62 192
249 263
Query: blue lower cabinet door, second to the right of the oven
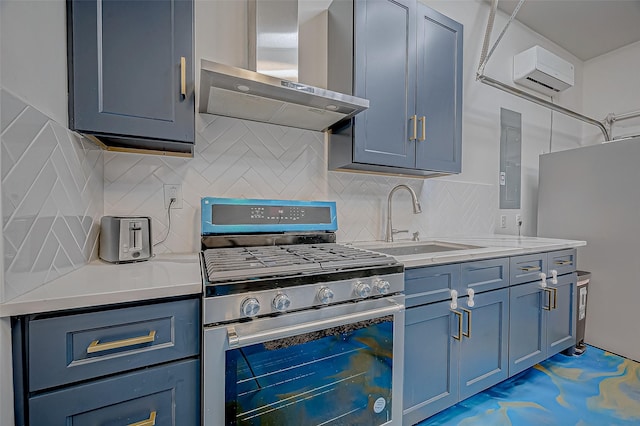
484 346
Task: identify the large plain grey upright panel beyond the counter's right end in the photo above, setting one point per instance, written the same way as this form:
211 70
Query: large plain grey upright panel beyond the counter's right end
593 194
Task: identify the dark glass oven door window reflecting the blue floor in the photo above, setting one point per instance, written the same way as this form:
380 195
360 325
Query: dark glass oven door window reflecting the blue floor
340 376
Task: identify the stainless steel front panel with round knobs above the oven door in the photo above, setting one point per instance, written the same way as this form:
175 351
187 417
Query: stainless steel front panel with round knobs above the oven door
233 307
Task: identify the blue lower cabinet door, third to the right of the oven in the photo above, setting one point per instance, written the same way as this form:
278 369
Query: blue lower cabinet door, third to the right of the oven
527 327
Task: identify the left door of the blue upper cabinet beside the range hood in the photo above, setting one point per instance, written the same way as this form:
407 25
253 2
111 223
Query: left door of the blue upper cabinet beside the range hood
385 37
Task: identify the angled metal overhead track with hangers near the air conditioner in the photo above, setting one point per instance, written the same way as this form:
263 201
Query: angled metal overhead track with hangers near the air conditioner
484 58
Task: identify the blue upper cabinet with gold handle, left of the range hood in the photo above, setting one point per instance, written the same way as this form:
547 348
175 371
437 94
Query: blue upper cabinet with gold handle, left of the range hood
131 75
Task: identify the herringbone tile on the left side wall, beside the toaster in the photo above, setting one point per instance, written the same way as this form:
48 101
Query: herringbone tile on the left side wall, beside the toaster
52 189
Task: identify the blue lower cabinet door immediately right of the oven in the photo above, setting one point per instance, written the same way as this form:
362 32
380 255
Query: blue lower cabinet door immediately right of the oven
430 361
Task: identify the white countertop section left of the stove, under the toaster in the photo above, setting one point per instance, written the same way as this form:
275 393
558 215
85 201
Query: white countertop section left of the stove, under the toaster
102 283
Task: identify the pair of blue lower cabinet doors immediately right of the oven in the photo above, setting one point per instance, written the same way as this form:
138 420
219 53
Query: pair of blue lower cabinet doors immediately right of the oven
451 354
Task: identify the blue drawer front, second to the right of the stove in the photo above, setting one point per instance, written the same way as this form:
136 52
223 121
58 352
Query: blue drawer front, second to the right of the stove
485 275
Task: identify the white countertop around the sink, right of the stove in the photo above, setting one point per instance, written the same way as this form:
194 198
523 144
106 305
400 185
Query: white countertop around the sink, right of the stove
486 247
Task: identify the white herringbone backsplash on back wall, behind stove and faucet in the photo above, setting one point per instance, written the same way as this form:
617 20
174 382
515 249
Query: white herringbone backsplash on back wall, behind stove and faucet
244 159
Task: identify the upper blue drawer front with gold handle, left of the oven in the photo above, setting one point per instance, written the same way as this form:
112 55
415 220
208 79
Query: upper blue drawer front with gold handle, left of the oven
72 348
